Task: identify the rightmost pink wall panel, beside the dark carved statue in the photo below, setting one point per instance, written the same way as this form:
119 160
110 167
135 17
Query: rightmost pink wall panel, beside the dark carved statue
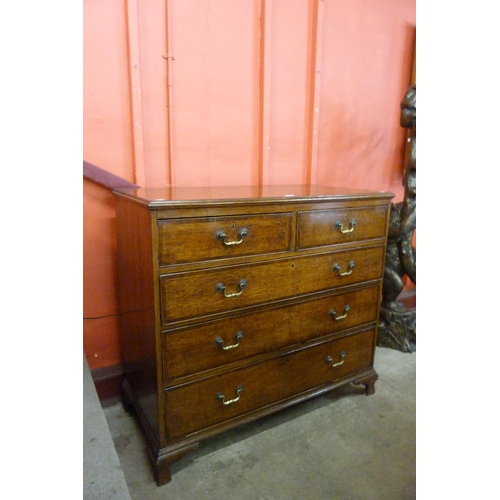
366 69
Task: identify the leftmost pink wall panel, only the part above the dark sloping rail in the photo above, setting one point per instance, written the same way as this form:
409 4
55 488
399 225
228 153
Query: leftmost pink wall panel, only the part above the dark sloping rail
107 139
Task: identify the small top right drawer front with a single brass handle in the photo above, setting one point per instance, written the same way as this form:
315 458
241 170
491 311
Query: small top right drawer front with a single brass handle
329 227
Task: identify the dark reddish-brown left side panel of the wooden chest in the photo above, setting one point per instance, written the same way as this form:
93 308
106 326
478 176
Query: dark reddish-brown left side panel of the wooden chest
138 322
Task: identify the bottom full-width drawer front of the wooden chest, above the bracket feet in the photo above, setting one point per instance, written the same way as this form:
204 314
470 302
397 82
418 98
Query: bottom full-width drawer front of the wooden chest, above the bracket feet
206 403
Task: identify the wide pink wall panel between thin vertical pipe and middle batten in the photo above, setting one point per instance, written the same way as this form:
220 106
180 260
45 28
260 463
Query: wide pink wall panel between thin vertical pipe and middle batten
215 104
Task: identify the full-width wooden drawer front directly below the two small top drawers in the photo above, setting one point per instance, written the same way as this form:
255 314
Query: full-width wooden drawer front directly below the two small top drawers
199 293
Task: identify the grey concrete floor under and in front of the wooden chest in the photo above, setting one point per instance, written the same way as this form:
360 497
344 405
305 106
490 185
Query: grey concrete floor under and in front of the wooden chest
342 445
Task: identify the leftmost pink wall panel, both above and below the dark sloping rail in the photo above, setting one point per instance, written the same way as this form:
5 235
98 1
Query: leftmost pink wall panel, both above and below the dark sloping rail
107 142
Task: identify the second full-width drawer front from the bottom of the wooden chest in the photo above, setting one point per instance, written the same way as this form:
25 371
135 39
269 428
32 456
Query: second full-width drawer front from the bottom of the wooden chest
191 350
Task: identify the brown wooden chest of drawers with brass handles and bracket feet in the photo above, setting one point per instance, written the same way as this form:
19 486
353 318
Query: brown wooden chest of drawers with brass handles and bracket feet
237 302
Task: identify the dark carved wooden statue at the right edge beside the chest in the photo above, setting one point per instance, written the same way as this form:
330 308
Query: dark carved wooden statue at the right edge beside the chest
397 327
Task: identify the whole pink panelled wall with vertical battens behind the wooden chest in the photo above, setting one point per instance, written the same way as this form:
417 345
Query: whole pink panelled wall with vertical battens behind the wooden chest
225 92
